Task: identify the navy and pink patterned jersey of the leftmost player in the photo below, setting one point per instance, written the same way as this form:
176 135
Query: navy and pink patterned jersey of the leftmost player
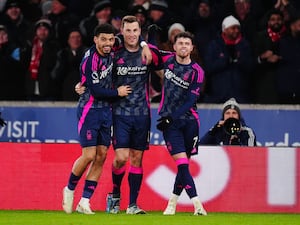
96 72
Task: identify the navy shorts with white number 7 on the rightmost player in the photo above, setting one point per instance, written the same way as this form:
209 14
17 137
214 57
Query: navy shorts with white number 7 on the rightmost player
182 136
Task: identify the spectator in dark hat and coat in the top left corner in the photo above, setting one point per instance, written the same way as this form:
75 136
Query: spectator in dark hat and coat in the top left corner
16 24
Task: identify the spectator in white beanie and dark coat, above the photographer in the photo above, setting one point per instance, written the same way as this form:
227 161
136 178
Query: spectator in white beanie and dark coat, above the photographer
228 64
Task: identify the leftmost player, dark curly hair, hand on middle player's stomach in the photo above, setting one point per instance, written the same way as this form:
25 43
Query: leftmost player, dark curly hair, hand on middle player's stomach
94 117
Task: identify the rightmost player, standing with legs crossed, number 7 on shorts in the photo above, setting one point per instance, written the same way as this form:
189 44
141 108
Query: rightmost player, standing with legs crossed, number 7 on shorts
179 120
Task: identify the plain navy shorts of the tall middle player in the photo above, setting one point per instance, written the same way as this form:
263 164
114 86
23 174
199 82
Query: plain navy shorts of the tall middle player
131 132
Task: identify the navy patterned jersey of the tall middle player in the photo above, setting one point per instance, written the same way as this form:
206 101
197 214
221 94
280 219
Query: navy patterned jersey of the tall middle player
130 70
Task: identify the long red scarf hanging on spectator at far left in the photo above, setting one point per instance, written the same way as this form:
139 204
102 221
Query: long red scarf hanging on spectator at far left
37 50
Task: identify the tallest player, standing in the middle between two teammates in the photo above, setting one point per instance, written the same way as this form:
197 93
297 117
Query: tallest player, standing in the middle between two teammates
131 114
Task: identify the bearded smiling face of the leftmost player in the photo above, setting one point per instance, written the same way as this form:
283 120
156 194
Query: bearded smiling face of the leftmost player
104 43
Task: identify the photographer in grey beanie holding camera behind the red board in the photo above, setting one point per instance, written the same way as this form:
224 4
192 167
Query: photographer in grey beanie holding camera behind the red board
228 131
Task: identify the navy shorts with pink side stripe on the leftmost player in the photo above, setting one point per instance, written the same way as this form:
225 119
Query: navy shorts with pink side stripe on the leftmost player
94 127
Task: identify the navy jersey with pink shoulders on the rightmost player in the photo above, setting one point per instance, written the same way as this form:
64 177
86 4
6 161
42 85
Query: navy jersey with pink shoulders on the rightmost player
179 84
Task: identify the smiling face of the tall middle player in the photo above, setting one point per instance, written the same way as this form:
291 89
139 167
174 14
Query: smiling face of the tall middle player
131 32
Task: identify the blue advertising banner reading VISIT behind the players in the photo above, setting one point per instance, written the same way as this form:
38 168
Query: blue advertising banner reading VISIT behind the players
273 127
